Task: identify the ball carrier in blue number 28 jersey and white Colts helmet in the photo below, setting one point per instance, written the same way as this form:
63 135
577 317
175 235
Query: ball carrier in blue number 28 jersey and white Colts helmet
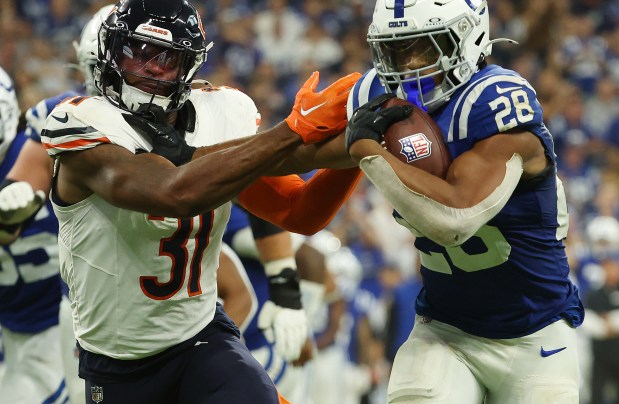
496 316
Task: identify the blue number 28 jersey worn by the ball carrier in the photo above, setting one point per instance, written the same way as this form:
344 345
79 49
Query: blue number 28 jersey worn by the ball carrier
511 278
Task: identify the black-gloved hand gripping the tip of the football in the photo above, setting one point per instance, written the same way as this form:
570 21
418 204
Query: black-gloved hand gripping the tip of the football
370 122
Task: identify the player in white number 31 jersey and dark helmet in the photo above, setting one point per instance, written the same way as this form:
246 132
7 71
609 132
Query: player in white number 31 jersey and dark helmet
140 237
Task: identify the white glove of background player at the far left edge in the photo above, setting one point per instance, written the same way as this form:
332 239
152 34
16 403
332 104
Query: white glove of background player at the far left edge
18 201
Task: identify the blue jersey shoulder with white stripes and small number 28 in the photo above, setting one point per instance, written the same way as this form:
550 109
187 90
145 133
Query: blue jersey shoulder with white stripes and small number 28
496 101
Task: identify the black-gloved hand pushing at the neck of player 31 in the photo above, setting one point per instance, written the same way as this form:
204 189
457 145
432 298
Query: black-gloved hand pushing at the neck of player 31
166 140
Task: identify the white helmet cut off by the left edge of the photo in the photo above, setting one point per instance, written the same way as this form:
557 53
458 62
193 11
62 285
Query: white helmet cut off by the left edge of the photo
9 113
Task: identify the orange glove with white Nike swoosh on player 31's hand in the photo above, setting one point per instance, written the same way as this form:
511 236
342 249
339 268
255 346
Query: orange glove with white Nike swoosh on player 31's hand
318 116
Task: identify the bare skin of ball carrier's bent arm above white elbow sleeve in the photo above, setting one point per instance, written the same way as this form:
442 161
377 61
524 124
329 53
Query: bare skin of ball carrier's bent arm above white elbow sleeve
462 188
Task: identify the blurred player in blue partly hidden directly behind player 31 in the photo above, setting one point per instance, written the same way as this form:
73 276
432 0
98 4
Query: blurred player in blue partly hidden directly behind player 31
33 169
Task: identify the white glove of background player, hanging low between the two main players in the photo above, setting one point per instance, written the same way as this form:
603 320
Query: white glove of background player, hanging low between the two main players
285 328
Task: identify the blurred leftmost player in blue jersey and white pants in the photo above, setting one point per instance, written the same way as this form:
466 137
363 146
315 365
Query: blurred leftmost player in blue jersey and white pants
29 280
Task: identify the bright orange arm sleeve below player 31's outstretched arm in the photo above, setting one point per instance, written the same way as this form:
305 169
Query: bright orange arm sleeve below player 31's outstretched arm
298 206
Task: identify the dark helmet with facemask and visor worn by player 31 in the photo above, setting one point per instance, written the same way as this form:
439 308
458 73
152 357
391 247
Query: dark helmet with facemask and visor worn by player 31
149 53
